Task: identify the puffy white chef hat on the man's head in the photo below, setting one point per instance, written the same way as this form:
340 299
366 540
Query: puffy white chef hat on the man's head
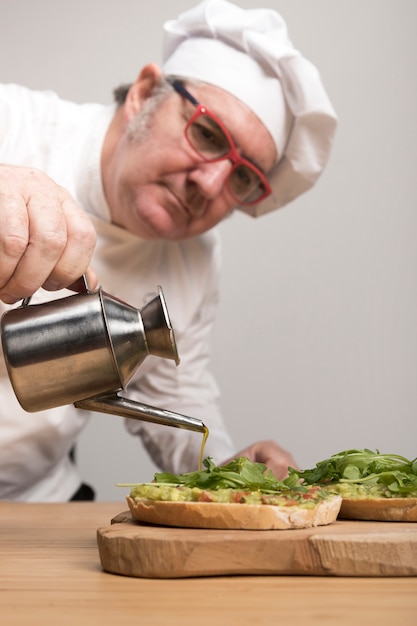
249 54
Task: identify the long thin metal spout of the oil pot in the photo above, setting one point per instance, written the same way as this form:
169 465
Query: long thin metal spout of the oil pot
124 407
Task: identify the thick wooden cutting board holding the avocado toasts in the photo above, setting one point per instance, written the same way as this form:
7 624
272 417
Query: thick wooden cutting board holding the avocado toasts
344 548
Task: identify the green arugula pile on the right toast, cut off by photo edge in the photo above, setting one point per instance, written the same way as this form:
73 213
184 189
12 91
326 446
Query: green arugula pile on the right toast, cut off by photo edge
396 473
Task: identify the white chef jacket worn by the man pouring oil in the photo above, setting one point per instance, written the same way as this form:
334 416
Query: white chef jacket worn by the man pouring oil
64 140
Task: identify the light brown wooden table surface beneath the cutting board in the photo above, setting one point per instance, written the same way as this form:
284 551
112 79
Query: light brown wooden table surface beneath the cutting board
50 574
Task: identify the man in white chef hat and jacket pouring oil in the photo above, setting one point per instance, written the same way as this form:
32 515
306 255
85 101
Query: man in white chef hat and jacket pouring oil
234 119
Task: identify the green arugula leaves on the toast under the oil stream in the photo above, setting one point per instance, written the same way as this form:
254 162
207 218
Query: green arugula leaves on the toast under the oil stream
240 473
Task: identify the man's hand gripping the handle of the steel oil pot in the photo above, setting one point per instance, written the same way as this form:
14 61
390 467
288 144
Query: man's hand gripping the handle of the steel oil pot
46 240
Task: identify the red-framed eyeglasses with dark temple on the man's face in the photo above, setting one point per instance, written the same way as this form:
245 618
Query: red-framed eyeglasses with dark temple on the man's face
208 136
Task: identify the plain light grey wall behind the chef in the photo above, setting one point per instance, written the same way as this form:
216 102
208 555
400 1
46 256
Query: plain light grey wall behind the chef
316 340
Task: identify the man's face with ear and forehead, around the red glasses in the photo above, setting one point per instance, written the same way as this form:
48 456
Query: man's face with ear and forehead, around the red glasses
157 185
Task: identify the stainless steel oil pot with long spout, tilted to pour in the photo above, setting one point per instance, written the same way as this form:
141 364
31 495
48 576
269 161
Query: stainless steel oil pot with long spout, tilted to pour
84 349
